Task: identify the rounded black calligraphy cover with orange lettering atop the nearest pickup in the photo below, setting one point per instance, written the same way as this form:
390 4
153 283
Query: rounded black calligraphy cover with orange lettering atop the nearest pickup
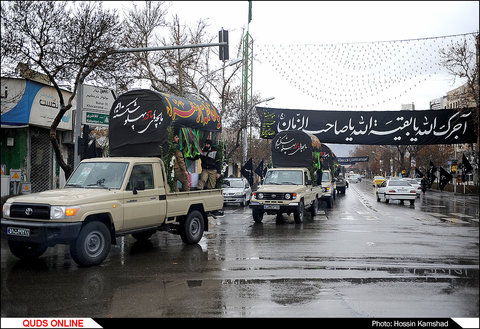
139 120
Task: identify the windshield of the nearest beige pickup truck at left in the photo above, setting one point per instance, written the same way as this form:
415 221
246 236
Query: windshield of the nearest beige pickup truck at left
107 175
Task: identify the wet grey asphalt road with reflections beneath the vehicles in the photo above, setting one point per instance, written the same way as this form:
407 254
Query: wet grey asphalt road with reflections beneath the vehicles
362 258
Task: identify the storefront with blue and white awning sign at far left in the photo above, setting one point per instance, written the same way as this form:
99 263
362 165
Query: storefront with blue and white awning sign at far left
28 110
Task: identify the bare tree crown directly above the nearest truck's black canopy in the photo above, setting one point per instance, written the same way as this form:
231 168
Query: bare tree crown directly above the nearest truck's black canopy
178 71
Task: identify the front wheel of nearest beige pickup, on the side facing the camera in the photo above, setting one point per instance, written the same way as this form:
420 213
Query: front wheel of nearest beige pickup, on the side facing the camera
92 244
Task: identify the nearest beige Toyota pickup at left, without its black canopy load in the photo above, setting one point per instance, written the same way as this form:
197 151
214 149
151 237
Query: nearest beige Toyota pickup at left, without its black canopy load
103 199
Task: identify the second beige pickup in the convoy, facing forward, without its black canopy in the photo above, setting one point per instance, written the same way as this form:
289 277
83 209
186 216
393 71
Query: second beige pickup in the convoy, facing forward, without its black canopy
286 190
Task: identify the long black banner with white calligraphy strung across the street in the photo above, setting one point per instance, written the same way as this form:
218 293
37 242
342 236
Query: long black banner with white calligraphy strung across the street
448 126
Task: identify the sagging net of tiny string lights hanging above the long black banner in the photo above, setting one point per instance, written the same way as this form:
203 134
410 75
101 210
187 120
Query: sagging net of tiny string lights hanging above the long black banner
360 74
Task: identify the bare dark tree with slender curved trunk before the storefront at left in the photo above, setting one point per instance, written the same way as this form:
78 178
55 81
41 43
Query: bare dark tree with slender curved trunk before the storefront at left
65 41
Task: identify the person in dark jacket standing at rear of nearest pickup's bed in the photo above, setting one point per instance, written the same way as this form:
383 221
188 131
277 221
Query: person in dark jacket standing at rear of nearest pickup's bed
210 166
